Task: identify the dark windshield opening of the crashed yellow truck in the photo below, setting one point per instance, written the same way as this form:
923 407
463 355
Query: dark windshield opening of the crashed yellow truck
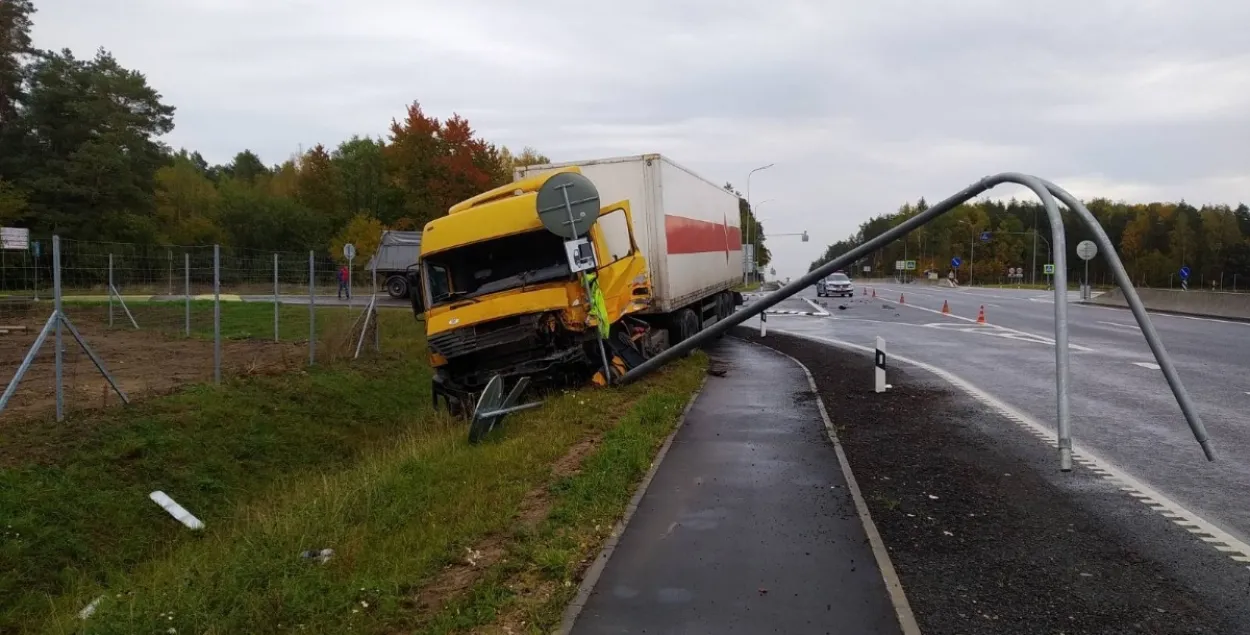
496 266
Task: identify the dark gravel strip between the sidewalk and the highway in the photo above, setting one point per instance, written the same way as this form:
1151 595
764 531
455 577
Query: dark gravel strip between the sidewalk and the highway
984 542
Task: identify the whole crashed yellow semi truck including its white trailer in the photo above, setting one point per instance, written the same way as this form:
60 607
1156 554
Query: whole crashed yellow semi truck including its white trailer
502 294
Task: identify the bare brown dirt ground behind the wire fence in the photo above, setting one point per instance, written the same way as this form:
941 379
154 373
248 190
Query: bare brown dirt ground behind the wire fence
146 363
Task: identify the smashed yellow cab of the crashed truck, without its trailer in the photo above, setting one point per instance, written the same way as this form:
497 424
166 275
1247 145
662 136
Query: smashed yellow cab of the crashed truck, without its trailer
499 296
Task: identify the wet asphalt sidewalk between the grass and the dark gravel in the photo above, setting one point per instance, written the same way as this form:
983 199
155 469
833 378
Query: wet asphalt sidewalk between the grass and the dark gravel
748 526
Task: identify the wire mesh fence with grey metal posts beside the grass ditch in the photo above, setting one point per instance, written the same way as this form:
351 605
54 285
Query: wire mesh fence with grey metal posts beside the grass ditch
161 318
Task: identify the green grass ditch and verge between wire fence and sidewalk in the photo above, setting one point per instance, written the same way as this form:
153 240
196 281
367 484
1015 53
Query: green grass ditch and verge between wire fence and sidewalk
348 458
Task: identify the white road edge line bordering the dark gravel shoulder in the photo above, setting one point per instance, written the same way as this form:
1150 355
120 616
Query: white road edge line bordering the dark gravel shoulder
1176 511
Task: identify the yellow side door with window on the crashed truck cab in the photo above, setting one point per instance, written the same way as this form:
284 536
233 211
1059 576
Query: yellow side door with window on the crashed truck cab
621 263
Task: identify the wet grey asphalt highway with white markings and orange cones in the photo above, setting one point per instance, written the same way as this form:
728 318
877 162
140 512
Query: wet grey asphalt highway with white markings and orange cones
1122 408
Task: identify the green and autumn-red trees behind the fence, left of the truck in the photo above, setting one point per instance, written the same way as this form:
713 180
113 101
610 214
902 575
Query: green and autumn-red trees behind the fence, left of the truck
82 157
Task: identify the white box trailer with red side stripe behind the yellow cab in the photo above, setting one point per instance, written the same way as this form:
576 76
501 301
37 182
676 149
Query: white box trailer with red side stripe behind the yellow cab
687 227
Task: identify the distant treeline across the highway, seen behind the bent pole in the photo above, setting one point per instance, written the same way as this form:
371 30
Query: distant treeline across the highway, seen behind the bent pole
1154 241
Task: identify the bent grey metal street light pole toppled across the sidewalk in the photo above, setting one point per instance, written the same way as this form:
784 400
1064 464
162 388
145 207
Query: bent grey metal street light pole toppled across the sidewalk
1044 191
